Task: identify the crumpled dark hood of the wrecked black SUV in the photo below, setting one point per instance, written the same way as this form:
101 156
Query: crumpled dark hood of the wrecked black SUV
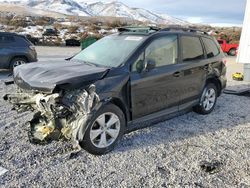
46 77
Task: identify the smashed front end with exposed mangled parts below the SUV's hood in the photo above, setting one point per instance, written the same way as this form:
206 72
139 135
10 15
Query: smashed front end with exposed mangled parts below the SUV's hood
58 115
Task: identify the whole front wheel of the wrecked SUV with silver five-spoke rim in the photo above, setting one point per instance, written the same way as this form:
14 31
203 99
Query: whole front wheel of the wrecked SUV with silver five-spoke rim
104 130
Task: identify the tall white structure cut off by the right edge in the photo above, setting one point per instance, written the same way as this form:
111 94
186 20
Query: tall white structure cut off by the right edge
244 47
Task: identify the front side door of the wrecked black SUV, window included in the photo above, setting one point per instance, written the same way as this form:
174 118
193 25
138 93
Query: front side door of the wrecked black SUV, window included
157 89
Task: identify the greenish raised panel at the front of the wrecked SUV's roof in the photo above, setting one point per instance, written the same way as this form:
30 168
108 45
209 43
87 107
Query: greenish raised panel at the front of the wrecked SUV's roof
149 29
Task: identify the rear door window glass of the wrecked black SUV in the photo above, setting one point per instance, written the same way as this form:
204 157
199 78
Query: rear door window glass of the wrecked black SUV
191 48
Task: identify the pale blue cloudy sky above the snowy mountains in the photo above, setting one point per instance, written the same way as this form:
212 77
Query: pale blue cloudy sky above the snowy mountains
214 12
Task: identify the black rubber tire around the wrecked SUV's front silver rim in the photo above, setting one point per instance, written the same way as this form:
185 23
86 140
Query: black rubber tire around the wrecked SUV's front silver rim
88 145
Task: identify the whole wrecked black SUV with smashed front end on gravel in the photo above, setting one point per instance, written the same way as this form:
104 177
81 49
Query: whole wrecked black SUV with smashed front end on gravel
123 82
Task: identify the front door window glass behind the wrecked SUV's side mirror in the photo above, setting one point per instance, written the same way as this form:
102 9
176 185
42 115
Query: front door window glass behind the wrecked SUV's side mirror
163 51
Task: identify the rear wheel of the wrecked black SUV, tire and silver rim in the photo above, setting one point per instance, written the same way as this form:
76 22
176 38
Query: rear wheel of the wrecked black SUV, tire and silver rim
206 107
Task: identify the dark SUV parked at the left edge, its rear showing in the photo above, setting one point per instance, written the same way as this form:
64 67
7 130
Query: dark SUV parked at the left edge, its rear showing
15 50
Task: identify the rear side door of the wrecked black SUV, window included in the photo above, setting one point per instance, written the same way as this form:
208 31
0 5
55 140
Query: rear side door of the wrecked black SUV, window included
193 67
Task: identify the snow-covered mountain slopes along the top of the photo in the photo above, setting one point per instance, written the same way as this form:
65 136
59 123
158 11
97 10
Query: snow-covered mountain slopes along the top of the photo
85 8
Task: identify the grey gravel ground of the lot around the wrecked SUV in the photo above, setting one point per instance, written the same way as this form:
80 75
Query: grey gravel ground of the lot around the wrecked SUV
175 153
